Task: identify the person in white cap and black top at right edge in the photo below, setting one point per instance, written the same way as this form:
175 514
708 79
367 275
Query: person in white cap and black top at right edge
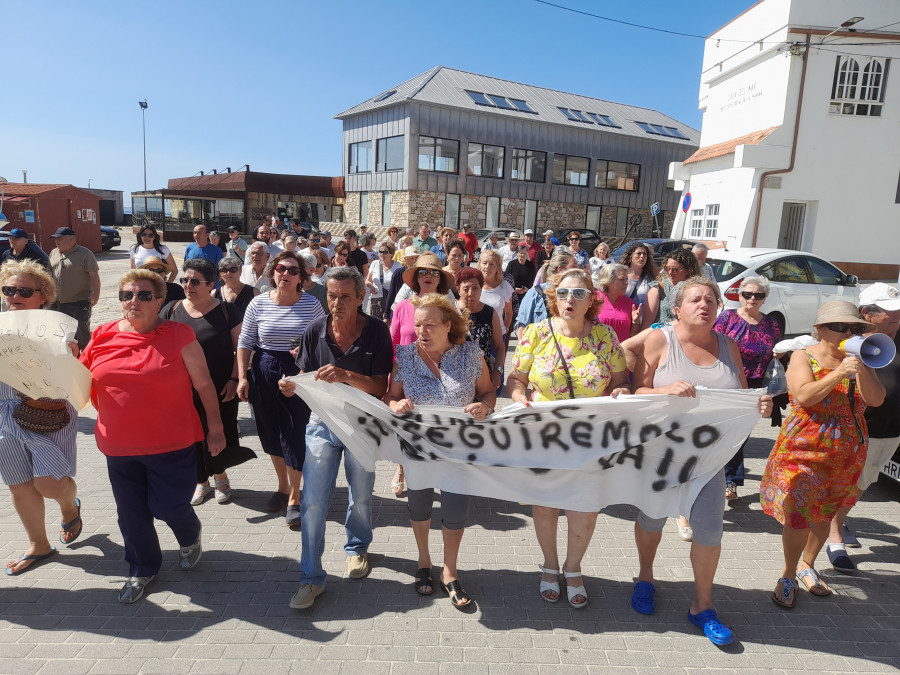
879 304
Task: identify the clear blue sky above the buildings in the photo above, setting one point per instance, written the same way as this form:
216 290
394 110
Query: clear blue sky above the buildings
230 83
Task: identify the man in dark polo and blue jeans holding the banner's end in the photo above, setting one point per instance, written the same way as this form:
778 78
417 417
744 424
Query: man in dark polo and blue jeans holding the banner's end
354 348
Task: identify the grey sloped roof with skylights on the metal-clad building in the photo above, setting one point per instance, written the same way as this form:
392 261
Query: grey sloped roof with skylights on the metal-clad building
448 87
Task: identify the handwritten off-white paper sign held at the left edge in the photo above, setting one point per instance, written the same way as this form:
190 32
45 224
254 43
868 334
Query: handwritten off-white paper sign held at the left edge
35 359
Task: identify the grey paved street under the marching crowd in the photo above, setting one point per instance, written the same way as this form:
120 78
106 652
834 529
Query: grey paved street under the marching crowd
230 614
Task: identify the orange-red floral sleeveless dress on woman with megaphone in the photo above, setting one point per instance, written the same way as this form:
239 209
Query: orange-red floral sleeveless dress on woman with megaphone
820 452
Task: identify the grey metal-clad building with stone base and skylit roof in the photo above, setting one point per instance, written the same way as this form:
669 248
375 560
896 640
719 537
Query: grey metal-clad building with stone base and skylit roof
449 147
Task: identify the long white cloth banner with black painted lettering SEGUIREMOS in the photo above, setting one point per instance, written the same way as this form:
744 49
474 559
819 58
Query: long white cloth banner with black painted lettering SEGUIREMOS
655 452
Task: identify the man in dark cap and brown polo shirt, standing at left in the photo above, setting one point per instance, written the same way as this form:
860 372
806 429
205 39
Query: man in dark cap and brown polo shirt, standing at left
77 278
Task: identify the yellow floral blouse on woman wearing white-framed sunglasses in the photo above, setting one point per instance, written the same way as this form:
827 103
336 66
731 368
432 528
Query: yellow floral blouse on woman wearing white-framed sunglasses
591 361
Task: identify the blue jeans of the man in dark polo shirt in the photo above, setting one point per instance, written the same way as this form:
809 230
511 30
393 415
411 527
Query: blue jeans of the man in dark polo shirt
320 468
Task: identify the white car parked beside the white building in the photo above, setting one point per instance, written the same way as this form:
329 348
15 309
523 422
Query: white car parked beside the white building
800 283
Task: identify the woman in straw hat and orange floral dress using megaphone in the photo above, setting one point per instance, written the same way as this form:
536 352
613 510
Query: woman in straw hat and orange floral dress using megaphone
814 467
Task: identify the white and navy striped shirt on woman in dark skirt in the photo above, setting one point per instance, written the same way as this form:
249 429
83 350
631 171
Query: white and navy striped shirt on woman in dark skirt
273 327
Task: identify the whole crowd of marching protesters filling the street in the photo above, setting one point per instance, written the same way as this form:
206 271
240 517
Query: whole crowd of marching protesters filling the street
414 320
